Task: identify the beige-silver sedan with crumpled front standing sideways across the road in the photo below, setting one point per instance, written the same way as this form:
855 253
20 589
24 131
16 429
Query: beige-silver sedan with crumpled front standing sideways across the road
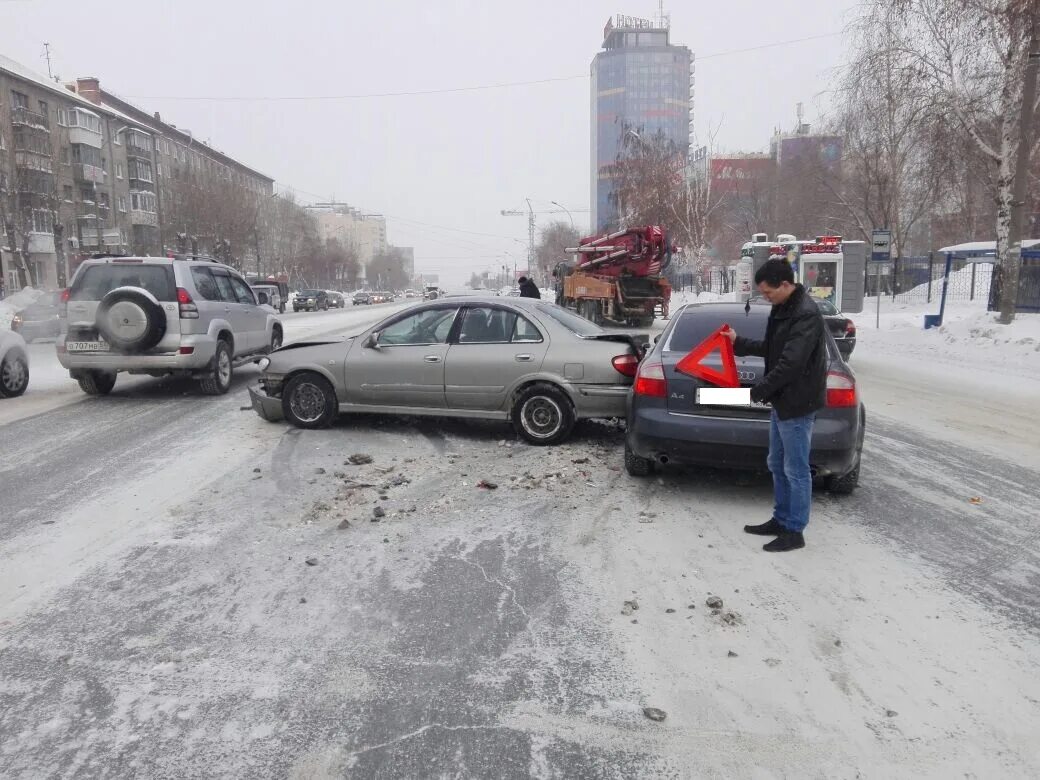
528 361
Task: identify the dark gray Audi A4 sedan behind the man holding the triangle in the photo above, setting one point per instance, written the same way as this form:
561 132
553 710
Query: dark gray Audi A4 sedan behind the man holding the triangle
667 423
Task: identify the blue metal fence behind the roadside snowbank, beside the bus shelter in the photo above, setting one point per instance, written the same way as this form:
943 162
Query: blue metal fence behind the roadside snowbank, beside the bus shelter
920 279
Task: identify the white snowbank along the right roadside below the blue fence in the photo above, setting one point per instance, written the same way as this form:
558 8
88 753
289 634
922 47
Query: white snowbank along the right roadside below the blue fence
970 335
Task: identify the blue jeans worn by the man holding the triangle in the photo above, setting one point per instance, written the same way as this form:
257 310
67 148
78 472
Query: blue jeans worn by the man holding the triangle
789 462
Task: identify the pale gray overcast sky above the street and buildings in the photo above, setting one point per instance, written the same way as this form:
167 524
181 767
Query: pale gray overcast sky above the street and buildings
452 161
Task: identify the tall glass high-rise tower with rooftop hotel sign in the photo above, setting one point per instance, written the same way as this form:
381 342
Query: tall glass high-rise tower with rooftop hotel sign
640 82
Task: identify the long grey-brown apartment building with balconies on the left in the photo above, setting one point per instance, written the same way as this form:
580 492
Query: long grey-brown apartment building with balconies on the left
84 172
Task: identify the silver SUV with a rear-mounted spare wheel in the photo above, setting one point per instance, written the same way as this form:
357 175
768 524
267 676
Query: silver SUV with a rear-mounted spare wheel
162 317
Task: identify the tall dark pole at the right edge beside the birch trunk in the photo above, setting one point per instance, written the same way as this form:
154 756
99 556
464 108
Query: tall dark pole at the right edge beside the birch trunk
1009 272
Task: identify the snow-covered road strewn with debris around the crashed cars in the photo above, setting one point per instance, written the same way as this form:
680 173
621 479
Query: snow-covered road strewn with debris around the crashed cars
160 617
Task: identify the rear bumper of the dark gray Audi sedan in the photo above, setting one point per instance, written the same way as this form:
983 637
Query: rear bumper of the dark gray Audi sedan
656 434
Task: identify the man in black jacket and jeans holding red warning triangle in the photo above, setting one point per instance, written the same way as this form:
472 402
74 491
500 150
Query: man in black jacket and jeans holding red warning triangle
795 384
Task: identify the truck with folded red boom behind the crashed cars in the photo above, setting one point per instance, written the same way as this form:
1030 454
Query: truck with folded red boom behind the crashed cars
618 277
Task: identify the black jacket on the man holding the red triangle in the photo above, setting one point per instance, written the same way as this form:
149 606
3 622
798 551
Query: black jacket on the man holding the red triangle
795 350
